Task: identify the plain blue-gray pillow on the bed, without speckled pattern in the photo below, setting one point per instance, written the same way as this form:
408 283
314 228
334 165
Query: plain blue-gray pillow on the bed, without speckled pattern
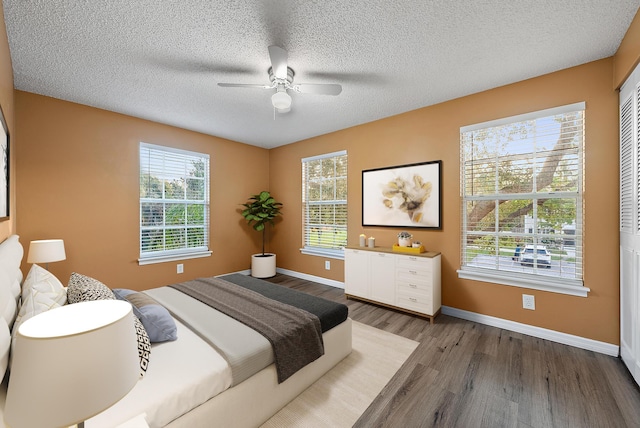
156 318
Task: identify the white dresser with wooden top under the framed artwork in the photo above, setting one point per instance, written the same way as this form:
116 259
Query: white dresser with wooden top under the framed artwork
408 282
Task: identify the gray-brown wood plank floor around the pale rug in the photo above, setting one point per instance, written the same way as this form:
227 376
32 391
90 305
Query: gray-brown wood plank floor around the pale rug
465 374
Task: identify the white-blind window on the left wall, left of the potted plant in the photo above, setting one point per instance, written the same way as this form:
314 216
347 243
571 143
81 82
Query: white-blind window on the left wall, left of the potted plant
174 204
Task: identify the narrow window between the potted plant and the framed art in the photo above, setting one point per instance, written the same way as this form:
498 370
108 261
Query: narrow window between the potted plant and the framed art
324 204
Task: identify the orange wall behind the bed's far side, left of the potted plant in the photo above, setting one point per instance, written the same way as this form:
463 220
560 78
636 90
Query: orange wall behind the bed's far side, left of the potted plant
78 179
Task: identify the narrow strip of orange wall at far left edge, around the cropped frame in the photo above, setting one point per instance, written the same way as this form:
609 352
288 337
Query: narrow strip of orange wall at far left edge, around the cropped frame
7 227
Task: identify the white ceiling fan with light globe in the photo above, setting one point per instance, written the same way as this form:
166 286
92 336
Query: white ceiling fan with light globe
281 78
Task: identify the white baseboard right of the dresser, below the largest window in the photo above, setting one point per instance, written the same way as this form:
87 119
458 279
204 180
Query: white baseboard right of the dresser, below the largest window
542 333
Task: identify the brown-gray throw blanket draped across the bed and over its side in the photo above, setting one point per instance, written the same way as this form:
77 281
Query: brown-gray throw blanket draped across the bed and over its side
294 334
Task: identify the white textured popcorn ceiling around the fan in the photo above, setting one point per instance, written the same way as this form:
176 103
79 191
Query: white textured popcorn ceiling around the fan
162 60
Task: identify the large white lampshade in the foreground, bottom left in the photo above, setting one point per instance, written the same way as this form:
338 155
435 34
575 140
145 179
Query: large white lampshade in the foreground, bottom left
71 363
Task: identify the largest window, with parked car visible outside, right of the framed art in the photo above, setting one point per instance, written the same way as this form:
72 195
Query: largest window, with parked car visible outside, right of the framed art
522 207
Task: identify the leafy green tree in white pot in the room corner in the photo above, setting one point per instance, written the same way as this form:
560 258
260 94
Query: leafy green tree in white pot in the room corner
259 210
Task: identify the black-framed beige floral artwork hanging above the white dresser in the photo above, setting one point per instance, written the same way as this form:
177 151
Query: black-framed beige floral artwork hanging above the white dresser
403 196
